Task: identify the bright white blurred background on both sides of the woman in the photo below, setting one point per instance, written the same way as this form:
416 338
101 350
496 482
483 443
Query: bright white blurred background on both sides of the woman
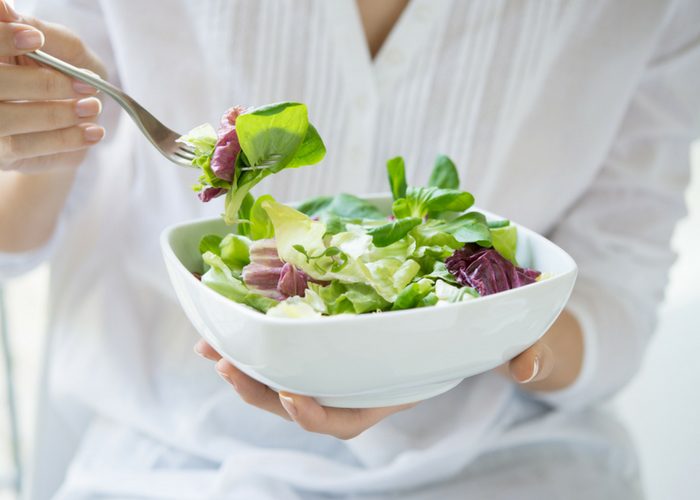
661 407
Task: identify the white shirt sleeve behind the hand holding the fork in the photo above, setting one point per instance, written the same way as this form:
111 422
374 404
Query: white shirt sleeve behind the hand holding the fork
85 18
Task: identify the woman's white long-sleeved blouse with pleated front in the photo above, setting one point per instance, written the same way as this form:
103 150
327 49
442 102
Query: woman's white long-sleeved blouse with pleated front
573 118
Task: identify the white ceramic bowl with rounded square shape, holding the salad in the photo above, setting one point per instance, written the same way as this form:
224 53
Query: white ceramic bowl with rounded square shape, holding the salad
372 359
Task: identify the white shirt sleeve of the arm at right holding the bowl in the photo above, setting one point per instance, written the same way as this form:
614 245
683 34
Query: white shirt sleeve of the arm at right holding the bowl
619 232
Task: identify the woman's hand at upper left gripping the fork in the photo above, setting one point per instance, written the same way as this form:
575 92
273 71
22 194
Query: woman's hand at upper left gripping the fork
47 119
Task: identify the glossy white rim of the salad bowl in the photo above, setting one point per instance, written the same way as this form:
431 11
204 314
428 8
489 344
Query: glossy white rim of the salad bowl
169 253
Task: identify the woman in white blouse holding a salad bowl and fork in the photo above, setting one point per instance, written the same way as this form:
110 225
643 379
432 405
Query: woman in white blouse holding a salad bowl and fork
573 118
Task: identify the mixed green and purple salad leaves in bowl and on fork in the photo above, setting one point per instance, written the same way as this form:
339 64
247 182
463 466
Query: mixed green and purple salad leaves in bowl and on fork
340 254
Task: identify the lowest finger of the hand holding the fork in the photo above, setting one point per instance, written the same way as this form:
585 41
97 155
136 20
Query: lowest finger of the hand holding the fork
23 146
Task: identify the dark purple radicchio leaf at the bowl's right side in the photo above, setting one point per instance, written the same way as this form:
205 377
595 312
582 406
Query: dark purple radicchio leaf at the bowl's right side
487 271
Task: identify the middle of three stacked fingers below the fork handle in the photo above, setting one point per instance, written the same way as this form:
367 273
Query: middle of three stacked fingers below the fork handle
38 116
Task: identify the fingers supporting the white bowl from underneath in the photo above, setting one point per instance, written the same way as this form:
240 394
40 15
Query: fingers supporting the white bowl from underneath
305 411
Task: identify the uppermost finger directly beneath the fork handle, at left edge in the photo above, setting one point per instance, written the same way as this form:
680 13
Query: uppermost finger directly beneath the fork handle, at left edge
18 83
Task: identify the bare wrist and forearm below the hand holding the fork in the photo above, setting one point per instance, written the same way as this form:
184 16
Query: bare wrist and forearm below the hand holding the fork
30 205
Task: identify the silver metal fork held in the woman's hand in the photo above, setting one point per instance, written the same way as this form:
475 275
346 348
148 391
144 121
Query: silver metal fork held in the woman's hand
158 134
